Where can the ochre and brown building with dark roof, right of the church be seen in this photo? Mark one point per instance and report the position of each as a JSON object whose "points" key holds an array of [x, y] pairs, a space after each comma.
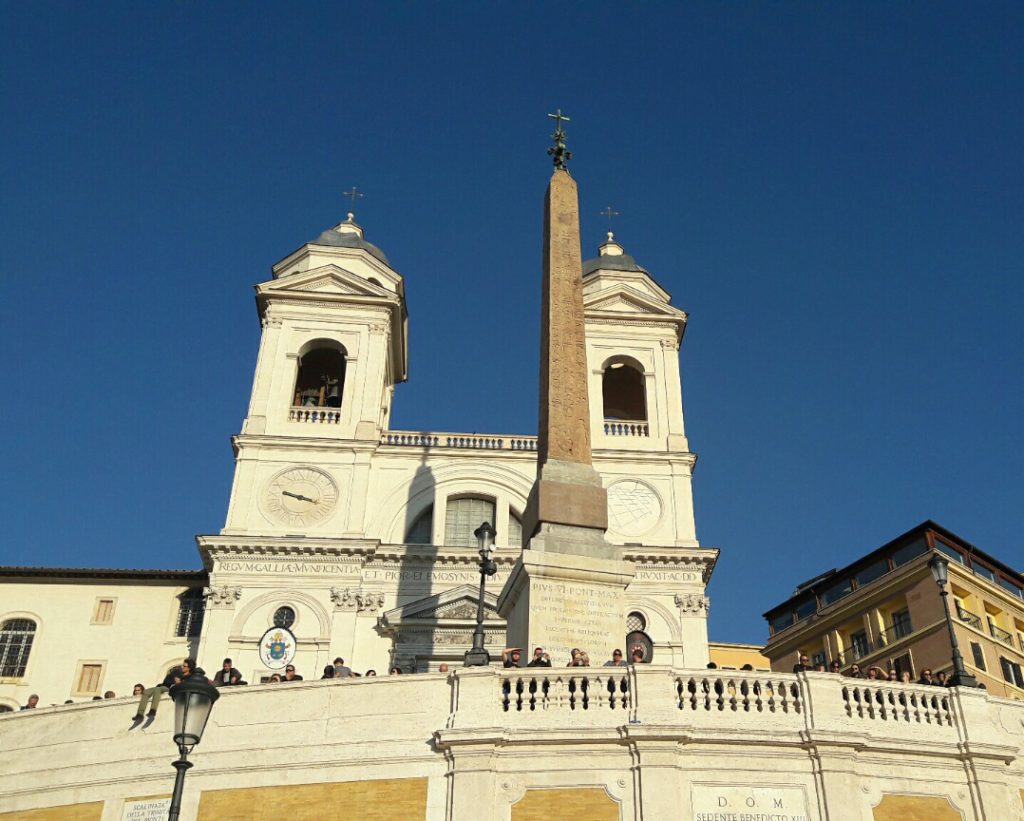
{"points": [[885, 611]]}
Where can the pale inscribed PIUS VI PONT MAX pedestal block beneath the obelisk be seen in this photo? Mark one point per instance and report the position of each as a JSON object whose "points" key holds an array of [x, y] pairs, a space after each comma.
{"points": [[562, 600]]}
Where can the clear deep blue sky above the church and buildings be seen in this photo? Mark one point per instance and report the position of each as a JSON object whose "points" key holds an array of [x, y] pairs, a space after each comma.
{"points": [[834, 192]]}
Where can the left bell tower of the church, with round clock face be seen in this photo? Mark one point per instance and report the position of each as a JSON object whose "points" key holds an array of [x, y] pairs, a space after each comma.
{"points": [[333, 348]]}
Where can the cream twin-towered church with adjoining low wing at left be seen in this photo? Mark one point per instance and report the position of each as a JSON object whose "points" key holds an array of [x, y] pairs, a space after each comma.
{"points": [[359, 539]]}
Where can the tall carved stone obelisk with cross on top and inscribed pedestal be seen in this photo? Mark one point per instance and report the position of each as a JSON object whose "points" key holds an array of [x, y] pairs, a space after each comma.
{"points": [[568, 588]]}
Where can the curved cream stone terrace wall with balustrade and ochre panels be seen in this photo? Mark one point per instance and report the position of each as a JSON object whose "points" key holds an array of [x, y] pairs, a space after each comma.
{"points": [[652, 743]]}
